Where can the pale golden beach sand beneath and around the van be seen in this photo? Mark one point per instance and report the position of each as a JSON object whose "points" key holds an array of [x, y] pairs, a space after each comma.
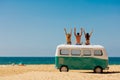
{"points": [[49, 72]]}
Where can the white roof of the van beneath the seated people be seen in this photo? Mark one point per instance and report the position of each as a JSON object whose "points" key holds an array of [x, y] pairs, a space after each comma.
{"points": [[79, 46]]}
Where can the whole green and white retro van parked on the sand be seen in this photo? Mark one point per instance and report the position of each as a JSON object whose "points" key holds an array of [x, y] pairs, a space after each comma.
{"points": [[81, 57]]}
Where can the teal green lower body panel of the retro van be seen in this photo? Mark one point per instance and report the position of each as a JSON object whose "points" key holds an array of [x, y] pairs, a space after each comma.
{"points": [[81, 63]]}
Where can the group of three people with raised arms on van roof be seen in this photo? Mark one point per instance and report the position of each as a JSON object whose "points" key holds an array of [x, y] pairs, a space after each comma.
{"points": [[78, 36]]}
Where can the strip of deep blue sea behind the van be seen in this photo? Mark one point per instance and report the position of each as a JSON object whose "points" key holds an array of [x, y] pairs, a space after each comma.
{"points": [[42, 60]]}
